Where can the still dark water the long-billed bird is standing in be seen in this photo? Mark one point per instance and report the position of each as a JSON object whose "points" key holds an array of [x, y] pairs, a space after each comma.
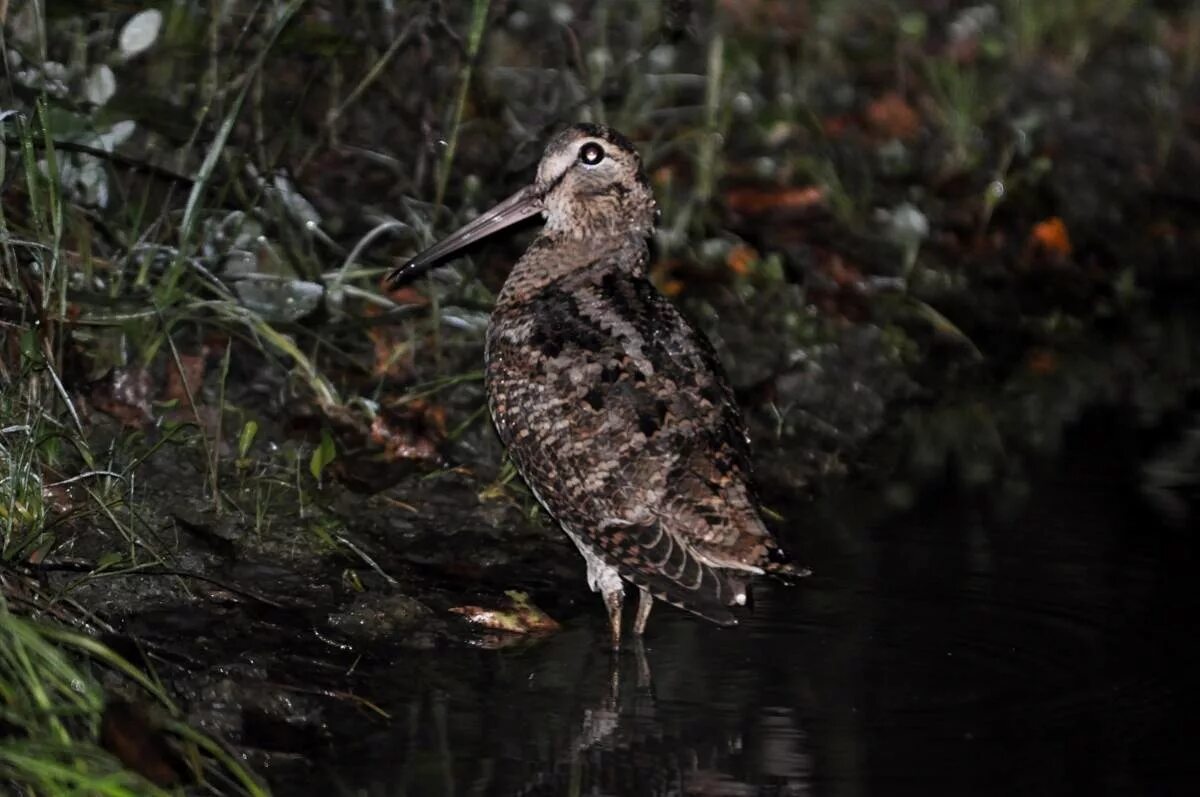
{"points": [[943, 652]]}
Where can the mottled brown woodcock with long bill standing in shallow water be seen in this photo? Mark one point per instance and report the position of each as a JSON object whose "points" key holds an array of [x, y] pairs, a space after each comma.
{"points": [[615, 410]]}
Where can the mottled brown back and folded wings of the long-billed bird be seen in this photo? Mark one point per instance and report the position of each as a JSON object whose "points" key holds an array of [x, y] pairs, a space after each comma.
{"points": [[621, 418]]}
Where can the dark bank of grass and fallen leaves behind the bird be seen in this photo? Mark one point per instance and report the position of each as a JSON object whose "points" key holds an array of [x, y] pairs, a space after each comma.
{"points": [[927, 238]]}
